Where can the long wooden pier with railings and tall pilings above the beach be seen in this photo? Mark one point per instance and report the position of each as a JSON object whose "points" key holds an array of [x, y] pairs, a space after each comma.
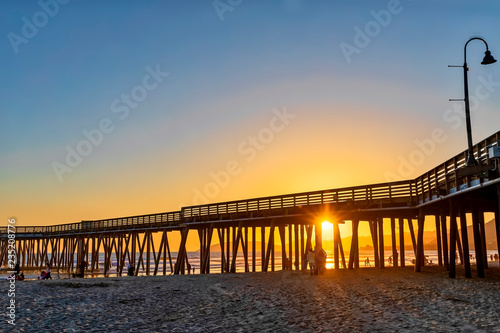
{"points": [[448, 193]]}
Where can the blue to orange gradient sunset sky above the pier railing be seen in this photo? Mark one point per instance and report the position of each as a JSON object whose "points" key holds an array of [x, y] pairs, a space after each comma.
{"points": [[354, 122]]}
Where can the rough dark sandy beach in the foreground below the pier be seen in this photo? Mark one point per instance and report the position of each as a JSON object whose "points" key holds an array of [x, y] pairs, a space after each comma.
{"points": [[363, 300]]}
